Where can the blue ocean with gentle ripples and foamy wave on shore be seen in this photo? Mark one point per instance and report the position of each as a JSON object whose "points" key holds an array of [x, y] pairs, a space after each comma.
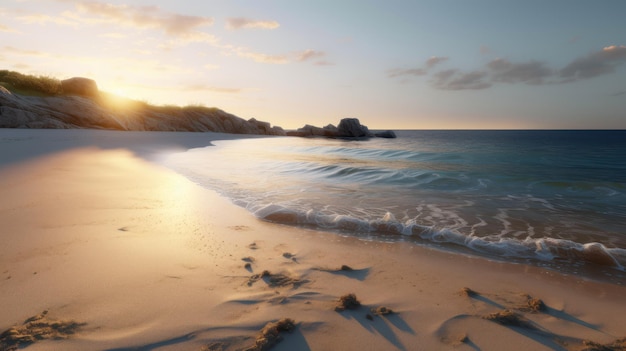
{"points": [[555, 199]]}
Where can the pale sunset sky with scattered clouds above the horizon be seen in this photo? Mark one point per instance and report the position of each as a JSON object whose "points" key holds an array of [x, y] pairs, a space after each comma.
{"points": [[436, 64]]}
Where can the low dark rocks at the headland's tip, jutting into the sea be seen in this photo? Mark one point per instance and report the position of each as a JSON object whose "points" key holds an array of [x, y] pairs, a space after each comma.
{"points": [[347, 128]]}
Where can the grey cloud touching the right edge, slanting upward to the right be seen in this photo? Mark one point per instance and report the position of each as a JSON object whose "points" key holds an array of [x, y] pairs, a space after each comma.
{"points": [[595, 64]]}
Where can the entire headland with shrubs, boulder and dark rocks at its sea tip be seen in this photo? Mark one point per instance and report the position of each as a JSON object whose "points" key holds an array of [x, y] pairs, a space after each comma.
{"points": [[47, 103]]}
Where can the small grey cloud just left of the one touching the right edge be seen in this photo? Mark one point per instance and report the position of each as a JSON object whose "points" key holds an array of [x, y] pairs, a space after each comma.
{"points": [[533, 72]]}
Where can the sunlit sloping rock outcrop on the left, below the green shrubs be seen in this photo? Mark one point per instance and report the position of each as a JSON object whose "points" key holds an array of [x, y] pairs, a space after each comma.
{"points": [[95, 112]]}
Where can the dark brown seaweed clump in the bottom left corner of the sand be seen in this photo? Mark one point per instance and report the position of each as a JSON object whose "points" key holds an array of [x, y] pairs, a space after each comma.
{"points": [[35, 329]]}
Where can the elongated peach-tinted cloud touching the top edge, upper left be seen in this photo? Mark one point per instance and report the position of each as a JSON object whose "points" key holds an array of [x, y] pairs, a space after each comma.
{"points": [[173, 24]]}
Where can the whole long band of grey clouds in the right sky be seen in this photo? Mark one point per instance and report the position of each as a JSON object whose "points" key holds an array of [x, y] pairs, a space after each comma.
{"points": [[532, 72]]}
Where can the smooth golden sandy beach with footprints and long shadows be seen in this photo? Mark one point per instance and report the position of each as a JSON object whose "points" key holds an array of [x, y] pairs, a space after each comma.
{"points": [[124, 254]]}
